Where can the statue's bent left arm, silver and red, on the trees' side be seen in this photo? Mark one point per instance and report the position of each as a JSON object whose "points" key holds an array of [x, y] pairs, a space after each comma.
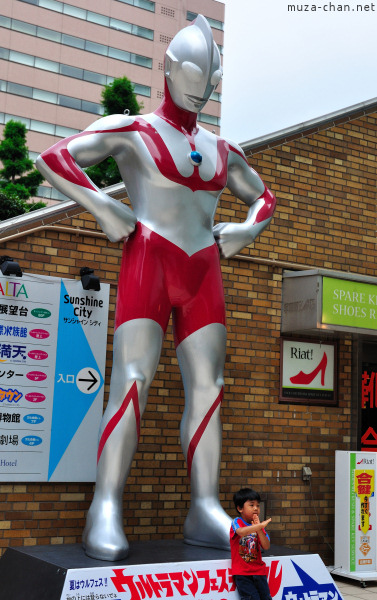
{"points": [[62, 165]]}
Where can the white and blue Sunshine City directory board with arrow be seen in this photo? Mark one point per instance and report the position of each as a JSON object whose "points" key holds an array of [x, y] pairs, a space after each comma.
{"points": [[52, 362]]}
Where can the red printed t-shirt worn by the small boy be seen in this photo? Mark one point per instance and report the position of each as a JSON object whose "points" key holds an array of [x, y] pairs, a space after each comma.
{"points": [[245, 551]]}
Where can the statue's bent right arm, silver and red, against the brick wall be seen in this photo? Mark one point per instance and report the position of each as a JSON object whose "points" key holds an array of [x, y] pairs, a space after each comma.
{"points": [[246, 184]]}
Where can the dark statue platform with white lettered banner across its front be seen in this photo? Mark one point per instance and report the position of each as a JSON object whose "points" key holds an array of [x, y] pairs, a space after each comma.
{"points": [[155, 570]]}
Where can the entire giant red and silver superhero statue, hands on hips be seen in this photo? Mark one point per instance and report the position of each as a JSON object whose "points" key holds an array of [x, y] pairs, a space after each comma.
{"points": [[174, 172]]}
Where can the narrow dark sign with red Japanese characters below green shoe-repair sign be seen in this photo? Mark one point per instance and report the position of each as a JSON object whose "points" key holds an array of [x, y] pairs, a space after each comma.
{"points": [[368, 434]]}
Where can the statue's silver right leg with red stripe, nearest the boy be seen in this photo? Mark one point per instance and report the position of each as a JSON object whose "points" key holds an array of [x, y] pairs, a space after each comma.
{"points": [[201, 357]]}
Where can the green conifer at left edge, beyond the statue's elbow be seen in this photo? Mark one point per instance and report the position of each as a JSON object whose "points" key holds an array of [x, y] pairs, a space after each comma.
{"points": [[18, 177]]}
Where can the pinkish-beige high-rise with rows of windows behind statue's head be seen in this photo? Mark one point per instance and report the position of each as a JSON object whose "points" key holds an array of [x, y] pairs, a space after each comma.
{"points": [[55, 58]]}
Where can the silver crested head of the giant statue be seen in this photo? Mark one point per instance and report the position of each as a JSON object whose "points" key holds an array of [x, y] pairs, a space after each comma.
{"points": [[192, 66]]}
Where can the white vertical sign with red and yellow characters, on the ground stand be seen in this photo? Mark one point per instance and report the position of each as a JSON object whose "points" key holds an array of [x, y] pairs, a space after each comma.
{"points": [[362, 513]]}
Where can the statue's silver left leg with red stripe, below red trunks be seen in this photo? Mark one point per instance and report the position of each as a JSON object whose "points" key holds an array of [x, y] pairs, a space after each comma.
{"points": [[137, 348]]}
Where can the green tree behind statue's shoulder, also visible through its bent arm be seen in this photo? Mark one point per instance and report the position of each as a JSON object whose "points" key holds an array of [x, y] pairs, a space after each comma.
{"points": [[117, 97]]}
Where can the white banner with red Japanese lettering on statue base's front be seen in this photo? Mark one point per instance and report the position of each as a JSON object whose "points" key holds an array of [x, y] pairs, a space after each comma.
{"points": [[303, 577]]}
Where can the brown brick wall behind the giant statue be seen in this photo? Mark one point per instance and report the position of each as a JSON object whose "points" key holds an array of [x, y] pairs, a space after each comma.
{"points": [[325, 182]]}
